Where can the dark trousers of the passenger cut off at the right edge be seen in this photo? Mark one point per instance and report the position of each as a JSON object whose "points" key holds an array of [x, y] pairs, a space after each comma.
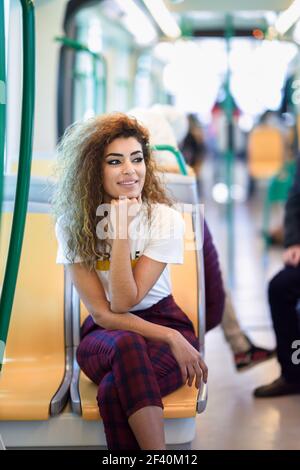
{"points": [[284, 293]]}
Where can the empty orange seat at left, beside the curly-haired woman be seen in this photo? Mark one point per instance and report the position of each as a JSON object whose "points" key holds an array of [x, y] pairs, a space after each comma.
{"points": [[36, 374]]}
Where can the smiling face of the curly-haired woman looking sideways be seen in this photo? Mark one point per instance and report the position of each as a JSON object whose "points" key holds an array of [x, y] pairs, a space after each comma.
{"points": [[124, 169]]}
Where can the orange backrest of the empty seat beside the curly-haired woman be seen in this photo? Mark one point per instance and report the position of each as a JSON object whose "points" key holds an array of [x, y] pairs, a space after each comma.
{"points": [[37, 319]]}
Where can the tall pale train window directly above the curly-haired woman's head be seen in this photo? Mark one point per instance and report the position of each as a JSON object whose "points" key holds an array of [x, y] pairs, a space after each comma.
{"points": [[86, 86]]}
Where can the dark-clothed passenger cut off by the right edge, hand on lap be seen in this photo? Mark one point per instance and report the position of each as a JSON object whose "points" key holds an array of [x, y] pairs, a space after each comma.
{"points": [[284, 295]]}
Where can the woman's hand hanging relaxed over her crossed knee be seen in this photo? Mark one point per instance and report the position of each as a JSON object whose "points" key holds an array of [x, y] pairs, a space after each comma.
{"points": [[189, 359]]}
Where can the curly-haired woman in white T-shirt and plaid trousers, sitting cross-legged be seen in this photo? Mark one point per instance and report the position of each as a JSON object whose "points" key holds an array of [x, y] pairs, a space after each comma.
{"points": [[136, 344]]}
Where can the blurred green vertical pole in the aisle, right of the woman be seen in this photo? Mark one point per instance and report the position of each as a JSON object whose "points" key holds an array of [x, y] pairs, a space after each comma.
{"points": [[229, 157]]}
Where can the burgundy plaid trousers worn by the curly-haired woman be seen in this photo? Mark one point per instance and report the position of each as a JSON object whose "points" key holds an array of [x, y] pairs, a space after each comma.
{"points": [[130, 371]]}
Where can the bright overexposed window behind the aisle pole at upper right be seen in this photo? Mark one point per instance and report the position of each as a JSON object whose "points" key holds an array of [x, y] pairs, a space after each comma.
{"points": [[196, 70]]}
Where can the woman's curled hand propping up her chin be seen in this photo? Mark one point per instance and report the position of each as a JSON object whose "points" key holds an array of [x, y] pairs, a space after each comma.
{"points": [[124, 210]]}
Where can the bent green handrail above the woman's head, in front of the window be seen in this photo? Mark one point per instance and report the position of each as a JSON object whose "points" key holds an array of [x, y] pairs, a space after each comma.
{"points": [[97, 57]]}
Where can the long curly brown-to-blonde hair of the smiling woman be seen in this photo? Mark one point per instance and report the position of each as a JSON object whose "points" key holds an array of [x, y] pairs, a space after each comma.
{"points": [[79, 190]]}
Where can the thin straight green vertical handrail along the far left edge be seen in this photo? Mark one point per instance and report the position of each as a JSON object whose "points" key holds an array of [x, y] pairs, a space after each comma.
{"points": [[2, 102]]}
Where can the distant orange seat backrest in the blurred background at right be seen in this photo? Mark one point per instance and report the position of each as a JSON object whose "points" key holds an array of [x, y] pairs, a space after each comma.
{"points": [[265, 151]]}
